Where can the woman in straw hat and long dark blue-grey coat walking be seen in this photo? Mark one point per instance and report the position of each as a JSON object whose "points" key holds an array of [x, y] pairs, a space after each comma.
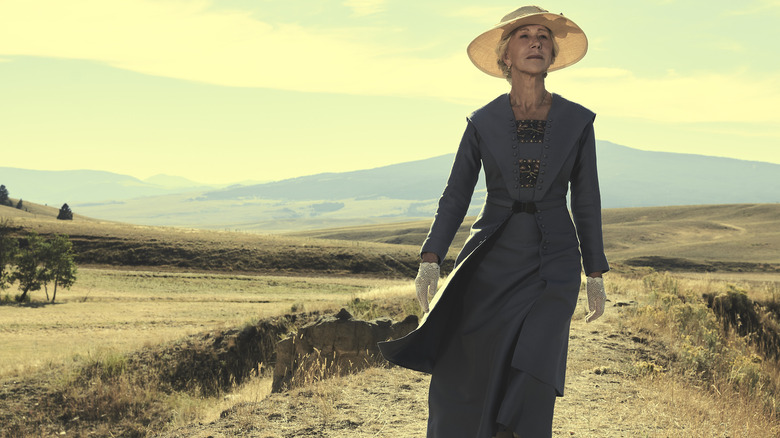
{"points": [[496, 336]]}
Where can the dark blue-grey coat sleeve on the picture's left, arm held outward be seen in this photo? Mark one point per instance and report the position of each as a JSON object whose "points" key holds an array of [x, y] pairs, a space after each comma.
{"points": [[456, 198]]}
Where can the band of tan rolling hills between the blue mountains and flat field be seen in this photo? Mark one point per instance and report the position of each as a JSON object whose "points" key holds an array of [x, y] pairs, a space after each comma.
{"points": [[744, 237]]}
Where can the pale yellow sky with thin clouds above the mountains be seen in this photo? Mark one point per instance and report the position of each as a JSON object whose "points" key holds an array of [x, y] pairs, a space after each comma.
{"points": [[224, 91]]}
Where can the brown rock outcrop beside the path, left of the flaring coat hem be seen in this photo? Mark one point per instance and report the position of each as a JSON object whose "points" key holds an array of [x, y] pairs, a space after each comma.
{"points": [[333, 345]]}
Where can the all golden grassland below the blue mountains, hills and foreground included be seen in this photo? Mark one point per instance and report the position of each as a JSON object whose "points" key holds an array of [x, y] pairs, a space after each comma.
{"points": [[147, 295]]}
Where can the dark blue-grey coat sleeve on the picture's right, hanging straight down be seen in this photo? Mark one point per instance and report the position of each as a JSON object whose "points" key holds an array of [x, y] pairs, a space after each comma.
{"points": [[586, 204]]}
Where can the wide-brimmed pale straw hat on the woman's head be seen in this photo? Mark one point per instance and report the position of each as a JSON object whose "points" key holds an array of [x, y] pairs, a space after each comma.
{"points": [[570, 39]]}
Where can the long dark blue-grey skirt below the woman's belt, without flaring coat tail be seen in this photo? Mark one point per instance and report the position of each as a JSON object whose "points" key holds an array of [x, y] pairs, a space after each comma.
{"points": [[475, 391]]}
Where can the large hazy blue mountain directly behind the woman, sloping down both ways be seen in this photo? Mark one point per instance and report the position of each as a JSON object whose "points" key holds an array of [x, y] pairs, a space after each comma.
{"points": [[629, 178]]}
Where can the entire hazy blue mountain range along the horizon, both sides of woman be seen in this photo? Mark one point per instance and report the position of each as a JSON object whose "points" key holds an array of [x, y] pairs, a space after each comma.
{"points": [[629, 178]]}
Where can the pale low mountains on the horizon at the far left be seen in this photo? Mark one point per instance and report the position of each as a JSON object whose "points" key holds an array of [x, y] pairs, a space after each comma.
{"points": [[88, 186]]}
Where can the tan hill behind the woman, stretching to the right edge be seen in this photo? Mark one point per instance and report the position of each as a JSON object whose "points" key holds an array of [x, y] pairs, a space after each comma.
{"points": [[708, 237]]}
